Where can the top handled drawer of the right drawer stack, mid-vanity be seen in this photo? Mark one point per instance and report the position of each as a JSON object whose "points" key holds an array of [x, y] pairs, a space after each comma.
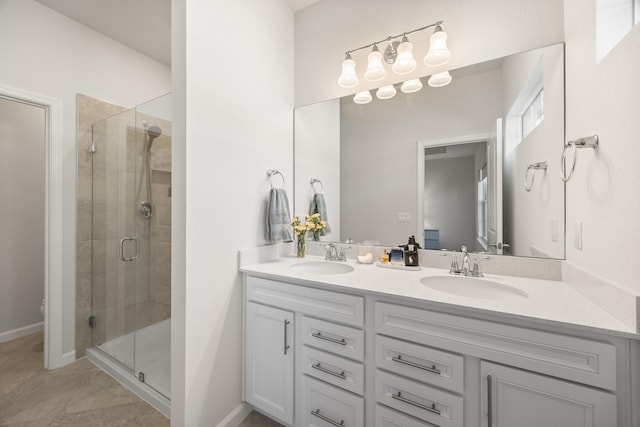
{"points": [[435, 367]]}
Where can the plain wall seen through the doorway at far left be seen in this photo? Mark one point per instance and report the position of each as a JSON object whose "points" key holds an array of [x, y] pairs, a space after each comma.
{"points": [[22, 173]]}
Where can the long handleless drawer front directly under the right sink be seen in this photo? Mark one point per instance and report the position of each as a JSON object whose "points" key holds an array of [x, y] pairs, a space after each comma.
{"points": [[576, 359]]}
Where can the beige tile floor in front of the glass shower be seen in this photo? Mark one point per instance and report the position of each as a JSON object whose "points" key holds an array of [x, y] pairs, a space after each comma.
{"points": [[77, 395]]}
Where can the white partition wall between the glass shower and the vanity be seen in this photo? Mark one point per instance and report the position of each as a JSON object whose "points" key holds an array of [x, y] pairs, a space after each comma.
{"points": [[233, 121]]}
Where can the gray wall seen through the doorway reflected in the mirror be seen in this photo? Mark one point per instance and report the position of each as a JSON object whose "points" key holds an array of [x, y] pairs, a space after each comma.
{"points": [[450, 196]]}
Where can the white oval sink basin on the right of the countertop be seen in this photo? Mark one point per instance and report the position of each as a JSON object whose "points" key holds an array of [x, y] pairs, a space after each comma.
{"points": [[473, 287]]}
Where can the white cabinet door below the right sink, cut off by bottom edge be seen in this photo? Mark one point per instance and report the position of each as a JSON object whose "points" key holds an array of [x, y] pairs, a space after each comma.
{"points": [[511, 397]]}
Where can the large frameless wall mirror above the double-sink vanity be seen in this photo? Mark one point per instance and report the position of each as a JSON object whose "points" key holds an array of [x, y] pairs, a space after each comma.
{"points": [[475, 162]]}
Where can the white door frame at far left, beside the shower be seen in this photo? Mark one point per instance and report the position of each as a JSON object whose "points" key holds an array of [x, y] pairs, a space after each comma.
{"points": [[54, 215]]}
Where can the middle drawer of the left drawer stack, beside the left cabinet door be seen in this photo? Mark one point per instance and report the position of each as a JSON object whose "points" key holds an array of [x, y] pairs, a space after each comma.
{"points": [[335, 370]]}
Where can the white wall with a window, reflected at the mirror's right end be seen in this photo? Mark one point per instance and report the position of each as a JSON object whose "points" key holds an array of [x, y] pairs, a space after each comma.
{"points": [[531, 213]]}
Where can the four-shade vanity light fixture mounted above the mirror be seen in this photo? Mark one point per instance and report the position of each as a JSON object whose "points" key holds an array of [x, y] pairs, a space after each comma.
{"points": [[399, 54]]}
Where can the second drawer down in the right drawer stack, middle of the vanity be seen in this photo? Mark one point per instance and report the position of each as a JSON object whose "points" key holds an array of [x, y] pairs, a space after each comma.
{"points": [[426, 403]]}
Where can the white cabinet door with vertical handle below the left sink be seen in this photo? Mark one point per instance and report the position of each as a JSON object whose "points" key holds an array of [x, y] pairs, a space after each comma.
{"points": [[269, 361]]}
